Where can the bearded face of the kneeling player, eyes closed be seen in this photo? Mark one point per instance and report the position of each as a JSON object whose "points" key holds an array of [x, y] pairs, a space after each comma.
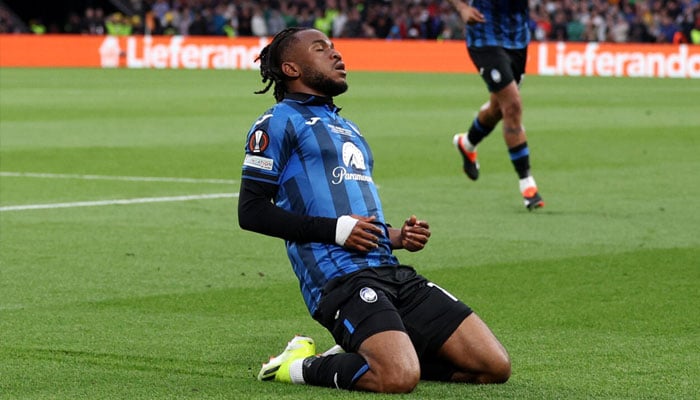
{"points": [[322, 66]]}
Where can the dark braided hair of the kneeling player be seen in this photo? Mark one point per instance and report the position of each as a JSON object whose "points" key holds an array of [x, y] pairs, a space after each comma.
{"points": [[271, 62]]}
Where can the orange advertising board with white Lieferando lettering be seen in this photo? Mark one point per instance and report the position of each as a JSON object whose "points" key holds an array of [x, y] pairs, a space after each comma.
{"points": [[544, 58]]}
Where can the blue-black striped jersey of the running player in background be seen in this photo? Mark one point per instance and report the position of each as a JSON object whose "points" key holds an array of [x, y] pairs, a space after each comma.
{"points": [[506, 24]]}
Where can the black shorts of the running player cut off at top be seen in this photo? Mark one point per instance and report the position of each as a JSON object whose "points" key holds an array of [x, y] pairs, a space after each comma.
{"points": [[498, 66]]}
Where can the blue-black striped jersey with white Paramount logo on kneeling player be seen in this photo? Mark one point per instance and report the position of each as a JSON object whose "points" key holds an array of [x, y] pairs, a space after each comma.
{"points": [[322, 167]]}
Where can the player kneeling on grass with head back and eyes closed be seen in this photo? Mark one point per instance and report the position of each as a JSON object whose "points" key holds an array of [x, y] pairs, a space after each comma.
{"points": [[307, 178]]}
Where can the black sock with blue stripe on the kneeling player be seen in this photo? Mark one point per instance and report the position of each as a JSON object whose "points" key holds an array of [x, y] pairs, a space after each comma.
{"points": [[339, 371]]}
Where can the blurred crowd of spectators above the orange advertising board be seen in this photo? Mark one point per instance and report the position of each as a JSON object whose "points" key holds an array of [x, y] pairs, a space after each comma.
{"points": [[623, 21]]}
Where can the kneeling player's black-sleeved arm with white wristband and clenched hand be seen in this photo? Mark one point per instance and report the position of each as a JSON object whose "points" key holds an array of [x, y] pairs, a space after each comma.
{"points": [[257, 213]]}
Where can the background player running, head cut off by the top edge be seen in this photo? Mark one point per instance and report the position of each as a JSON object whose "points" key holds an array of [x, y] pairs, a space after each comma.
{"points": [[497, 39]]}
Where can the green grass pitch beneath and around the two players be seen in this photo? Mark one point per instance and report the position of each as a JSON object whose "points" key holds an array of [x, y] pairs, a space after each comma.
{"points": [[594, 296]]}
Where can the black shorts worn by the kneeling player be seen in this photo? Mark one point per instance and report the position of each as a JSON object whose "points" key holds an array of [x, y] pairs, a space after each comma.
{"points": [[373, 300]]}
